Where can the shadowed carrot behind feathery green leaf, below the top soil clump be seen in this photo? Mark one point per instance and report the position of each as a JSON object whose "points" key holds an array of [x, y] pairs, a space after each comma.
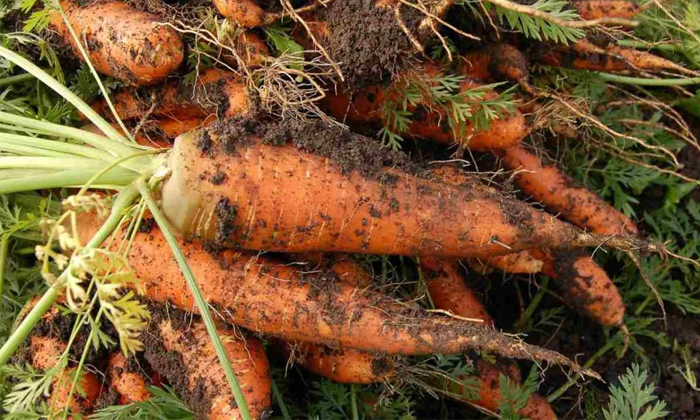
{"points": [[367, 106]]}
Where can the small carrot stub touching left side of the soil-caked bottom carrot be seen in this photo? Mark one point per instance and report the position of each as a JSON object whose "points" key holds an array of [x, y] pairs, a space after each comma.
{"points": [[126, 381]]}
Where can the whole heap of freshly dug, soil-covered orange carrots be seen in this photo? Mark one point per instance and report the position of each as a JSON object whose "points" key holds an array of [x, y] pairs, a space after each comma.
{"points": [[238, 184]]}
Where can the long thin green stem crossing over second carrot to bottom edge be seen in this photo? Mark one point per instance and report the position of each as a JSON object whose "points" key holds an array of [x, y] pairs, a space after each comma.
{"points": [[164, 225]]}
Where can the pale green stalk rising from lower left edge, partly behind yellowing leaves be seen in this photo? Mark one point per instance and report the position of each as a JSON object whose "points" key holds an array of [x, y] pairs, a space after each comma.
{"points": [[122, 202]]}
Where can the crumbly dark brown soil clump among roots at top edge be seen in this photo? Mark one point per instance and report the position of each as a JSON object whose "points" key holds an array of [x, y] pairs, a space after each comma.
{"points": [[366, 40]]}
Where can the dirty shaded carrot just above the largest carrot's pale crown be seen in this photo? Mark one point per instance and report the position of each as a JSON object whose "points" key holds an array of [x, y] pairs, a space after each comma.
{"points": [[215, 93]]}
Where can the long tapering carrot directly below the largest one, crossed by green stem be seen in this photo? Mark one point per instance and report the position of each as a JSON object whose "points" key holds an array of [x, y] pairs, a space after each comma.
{"points": [[273, 298]]}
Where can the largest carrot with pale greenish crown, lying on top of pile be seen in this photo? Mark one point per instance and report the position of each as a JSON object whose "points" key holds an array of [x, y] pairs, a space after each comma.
{"points": [[279, 198]]}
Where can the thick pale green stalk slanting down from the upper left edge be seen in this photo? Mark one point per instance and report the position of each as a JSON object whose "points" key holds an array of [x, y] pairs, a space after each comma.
{"points": [[62, 90]]}
